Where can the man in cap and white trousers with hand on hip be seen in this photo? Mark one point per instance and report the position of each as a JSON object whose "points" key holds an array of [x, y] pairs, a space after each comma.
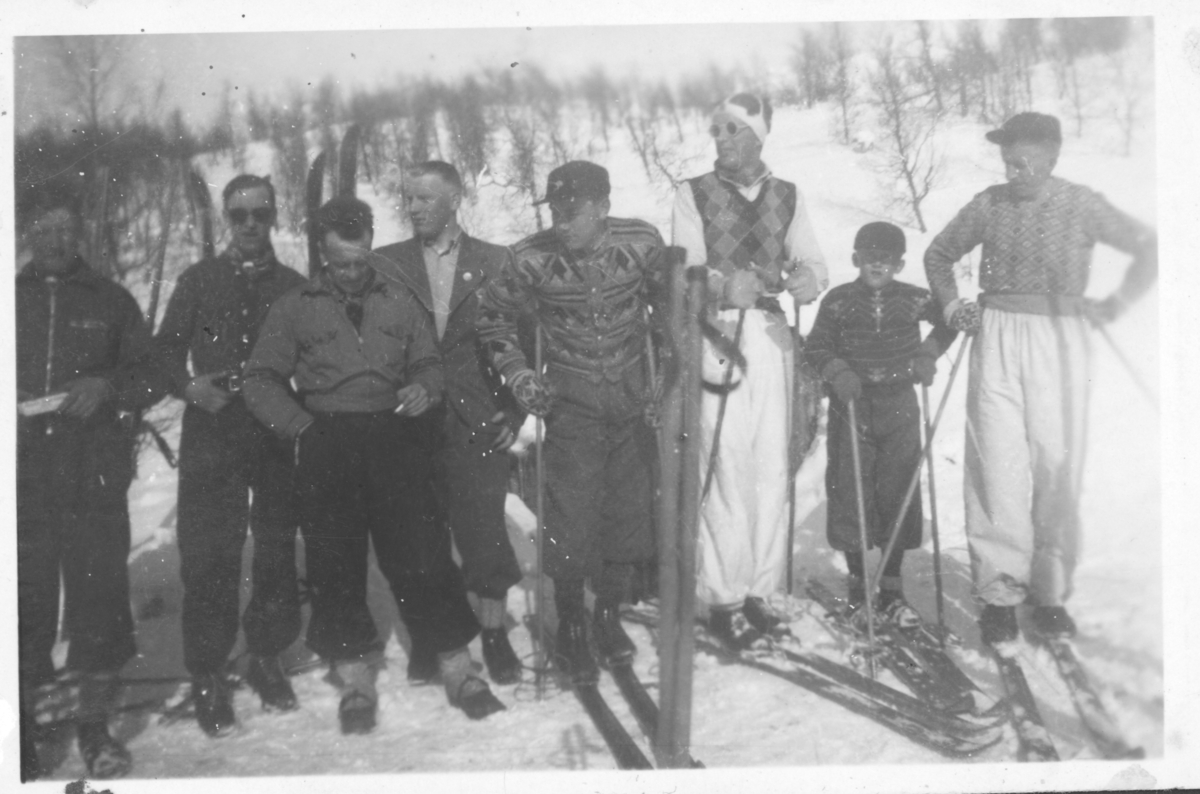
{"points": [[1028, 389]]}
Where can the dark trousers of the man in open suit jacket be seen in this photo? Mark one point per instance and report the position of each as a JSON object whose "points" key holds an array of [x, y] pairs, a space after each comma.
{"points": [[472, 484]]}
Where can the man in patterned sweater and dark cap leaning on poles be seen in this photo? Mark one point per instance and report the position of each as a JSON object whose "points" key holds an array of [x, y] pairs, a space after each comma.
{"points": [[587, 281]]}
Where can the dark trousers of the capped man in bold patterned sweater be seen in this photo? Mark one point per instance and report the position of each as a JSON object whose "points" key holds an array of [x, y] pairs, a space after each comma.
{"points": [[601, 460]]}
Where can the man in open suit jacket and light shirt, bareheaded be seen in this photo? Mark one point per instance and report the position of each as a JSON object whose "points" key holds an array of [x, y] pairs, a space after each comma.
{"points": [[477, 423]]}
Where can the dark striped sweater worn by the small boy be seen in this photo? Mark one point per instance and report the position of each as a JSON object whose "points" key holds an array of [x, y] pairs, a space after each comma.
{"points": [[875, 333]]}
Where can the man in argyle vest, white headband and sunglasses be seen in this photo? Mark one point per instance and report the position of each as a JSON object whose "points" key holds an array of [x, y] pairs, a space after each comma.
{"points": [[753, 232]]}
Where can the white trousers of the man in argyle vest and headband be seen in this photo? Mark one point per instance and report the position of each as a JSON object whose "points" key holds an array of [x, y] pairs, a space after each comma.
{"points": [[743, 522]]}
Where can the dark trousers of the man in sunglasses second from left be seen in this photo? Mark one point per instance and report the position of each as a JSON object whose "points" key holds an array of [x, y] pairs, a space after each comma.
{"points": [[224, 460]]}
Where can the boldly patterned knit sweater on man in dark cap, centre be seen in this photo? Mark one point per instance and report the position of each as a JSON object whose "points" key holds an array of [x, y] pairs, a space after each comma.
{"points": [[592, 310]]}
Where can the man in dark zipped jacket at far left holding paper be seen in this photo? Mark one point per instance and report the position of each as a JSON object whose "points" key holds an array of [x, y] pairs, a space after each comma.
{"points": [[83, 372]]}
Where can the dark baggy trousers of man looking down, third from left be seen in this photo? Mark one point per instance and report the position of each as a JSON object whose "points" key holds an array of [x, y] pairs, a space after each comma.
{"points": [[364, 479]]}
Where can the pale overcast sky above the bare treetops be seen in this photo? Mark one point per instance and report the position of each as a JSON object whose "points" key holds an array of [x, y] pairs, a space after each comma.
{"points": [[197, 67]]}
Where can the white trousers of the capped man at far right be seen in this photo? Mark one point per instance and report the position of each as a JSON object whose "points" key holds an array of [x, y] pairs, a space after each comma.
{"points": [[1025, 442]]}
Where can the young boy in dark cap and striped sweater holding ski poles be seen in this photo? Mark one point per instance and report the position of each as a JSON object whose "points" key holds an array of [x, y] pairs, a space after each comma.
{"points": [[867, 347]]}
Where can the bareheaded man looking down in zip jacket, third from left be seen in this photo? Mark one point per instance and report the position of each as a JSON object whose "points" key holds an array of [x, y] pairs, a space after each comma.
{"points": [[364, 362]]}
